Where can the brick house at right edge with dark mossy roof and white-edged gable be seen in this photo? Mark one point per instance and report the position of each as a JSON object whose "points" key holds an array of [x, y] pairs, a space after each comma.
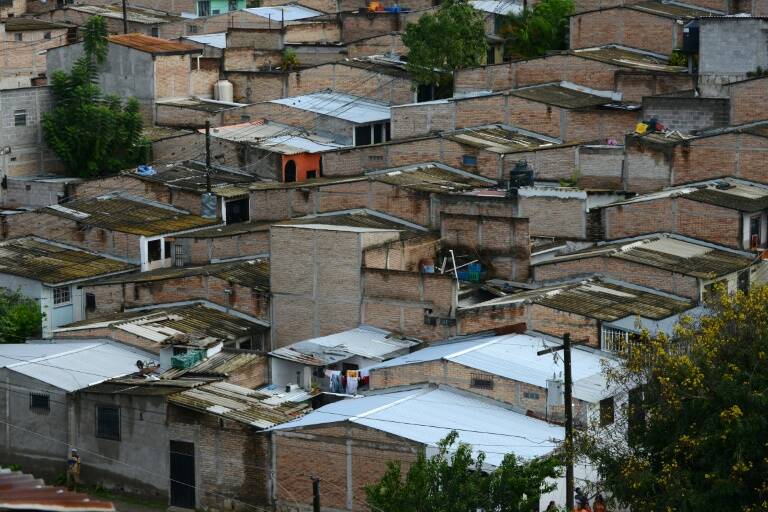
{"points": [[729, 211]]}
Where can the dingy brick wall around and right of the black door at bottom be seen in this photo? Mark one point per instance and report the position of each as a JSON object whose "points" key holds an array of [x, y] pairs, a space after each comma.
{"points": [[230, 459]]}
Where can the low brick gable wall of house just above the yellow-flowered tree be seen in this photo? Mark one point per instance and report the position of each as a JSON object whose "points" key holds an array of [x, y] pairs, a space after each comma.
{"points": [[614, 268]]}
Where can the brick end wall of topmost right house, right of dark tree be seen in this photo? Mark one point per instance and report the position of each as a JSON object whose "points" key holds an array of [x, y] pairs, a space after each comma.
{"points": [[625, 27]]}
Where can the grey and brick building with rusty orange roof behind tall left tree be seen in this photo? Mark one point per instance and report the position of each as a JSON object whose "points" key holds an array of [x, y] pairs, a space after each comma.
{"points": [[140, 66]]}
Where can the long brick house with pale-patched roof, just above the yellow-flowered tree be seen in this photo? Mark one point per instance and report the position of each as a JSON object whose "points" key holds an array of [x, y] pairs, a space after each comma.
{"points": [[667, 262]]}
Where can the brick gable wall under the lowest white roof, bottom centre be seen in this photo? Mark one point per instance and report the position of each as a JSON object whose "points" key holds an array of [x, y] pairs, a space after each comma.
{"points": [[332, 452]]}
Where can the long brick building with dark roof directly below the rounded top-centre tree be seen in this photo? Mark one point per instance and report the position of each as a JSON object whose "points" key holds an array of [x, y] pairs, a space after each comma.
{"points": [[564, 110]]}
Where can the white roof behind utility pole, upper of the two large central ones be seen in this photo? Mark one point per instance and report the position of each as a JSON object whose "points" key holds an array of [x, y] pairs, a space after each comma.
{"points": [[514, 357]]}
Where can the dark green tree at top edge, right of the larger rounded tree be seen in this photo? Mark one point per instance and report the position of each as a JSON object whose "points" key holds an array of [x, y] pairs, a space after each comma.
{"points": [[537, 30]]}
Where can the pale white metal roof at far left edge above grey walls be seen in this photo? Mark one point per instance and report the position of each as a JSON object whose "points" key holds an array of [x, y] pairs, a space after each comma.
{"points": [[75, 369]]}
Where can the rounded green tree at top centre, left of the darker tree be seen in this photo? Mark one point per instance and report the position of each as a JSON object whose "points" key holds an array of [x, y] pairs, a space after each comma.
{"points": [[438, 44]]}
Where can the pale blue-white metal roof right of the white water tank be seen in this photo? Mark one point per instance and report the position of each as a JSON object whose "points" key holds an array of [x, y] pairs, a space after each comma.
{"points": [[355, 109]]}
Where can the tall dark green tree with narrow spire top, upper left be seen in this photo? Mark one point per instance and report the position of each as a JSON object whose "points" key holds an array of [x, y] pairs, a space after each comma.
{"points": [[92, 133]]}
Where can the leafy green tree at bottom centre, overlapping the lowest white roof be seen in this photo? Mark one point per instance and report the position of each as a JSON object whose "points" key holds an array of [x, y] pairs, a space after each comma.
{"points": [[453, 481]]}
